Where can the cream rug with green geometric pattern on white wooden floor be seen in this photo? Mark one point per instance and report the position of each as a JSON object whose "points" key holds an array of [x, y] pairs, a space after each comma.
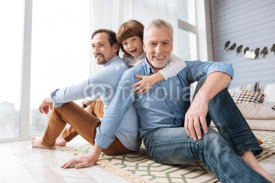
{"points": [[139, 167]]}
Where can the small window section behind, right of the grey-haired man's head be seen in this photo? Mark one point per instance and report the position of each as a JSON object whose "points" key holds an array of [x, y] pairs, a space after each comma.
{"points": [[187, 30]]}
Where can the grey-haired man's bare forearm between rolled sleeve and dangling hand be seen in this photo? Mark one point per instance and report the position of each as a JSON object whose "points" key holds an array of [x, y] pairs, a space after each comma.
{"points": [[214, 83]]}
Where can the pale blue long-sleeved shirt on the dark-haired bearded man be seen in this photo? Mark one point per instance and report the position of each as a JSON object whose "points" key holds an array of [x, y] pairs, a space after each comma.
{"points": [[103, 84]]}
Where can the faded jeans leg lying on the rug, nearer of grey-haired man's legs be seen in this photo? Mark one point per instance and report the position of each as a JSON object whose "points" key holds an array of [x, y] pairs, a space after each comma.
{"points": [[173, 146]]}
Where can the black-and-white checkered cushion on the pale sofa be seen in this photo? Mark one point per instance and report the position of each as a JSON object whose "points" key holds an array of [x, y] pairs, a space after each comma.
{"points": [[245, 96]]}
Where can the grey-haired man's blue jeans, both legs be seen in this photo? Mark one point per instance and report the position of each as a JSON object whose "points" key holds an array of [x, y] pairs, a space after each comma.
{"points": [[220, 153]]}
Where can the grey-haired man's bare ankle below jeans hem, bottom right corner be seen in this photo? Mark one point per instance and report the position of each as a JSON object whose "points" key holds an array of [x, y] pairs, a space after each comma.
{"points": [[251, 161]]}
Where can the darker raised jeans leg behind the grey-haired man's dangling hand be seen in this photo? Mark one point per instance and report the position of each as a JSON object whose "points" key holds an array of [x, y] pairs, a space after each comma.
{"points": [[230, 122]]}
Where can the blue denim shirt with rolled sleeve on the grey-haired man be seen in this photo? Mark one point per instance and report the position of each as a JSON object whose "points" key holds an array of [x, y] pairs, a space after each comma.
{"points": [[164, 105]]}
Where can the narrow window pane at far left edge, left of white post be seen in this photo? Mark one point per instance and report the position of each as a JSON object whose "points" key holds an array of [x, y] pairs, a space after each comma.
{"points": [[11, 37]]}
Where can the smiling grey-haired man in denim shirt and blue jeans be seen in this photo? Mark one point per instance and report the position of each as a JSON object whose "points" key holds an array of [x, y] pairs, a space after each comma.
{"points": [[175, 132]]}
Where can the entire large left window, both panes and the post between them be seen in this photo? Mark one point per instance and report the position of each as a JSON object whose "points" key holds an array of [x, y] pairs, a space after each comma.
{"points": [[50, 43]]}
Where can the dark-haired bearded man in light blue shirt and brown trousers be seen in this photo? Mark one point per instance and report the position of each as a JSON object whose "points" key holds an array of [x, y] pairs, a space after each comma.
{"points": [[103, 84]]}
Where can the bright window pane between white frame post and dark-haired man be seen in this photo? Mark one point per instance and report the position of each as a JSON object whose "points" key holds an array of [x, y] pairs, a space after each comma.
{"points": [[60, 51]]}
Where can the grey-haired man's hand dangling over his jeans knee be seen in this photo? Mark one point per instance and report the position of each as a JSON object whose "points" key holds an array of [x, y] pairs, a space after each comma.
{"points": [[195, 117]]}
